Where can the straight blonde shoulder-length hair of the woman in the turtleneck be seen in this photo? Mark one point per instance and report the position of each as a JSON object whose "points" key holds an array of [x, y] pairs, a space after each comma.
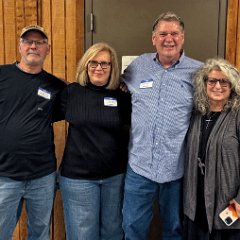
{"points": [[82, 74]]}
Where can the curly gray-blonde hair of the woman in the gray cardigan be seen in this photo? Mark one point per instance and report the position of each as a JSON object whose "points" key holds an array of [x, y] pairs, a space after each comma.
{"points": [[201, 100]]}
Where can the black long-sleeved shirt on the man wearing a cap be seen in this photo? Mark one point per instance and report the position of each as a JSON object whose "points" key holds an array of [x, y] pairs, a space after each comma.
{"points": [[27, 107]]}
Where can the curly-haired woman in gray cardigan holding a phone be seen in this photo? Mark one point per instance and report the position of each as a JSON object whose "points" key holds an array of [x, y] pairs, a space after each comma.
{"points": [[212, 167]]}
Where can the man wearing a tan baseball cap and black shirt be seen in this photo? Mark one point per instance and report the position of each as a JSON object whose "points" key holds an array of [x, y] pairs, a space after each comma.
{"points": [[28, 107]]}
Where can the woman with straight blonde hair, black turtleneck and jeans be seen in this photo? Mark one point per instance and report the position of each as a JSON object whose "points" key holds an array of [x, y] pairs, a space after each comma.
{"points": [[95, 155]]}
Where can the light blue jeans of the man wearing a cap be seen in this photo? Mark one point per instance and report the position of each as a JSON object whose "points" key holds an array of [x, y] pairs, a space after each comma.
{"points": [[38, 195]]}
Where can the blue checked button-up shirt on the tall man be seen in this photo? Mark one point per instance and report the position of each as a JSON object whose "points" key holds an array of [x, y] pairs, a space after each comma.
{"points": [[162, 102]]}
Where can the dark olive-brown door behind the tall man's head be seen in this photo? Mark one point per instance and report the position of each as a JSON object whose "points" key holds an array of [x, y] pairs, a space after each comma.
{"points": [[126, 25]]}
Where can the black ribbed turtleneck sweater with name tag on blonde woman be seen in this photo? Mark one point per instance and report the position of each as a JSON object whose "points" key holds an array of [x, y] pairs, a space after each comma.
{"points": [[97, 141]]}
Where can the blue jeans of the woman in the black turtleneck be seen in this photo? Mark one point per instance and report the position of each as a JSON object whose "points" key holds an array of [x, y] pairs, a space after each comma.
{"points": [[93, 208]]}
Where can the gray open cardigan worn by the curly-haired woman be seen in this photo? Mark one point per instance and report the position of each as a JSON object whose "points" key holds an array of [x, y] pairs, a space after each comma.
{"points": [[222, 170]]}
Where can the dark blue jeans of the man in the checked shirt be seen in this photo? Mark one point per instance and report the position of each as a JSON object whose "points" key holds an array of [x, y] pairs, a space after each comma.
{"points": [[139, 196]]}
